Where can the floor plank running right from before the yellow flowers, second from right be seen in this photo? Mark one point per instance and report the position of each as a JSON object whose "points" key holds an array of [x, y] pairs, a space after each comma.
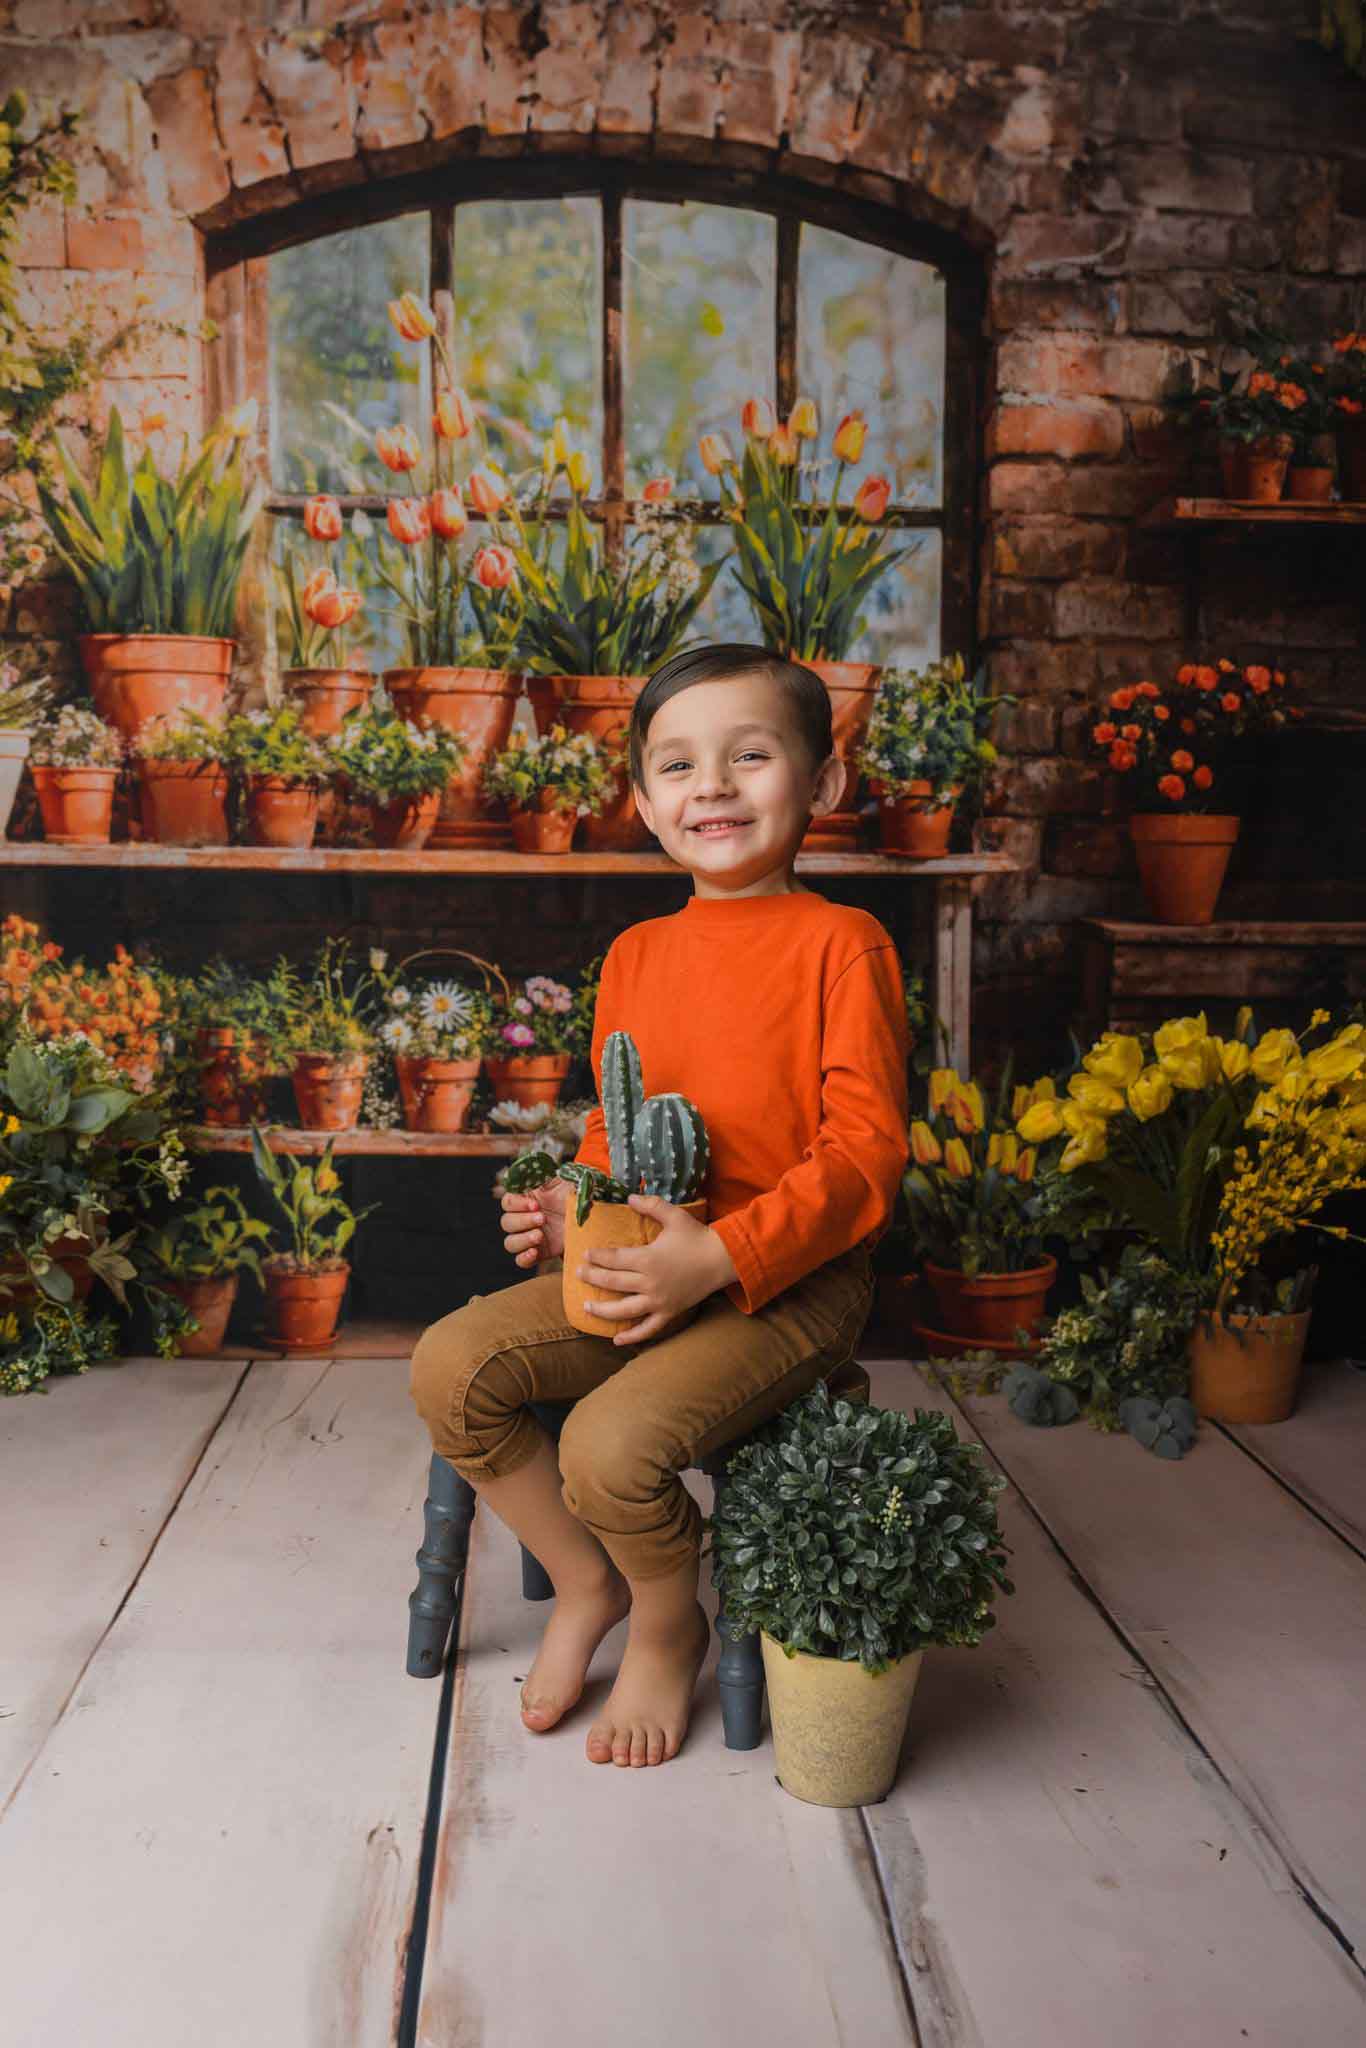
{"points": [[1250, 1615]]}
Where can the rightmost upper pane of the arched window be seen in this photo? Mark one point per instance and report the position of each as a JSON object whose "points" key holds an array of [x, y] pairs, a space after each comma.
{"points": [[871, 339]]}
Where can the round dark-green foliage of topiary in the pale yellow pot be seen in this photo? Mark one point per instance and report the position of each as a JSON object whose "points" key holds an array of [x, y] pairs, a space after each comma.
{"points": [[859, 1533]]}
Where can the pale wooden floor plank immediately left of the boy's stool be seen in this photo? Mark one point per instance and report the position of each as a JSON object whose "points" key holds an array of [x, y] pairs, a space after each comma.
{"points": [[220, 1840]]}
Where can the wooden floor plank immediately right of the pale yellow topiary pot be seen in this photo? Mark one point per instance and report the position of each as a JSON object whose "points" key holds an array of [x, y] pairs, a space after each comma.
{"points": [[1066, 1869]]}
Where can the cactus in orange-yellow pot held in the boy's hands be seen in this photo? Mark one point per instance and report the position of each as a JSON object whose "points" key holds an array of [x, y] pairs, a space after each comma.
{"points": [[658, 1146]]}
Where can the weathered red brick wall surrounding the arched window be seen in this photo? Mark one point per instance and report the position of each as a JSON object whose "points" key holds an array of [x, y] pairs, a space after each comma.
{"points": [[1115, 165]]}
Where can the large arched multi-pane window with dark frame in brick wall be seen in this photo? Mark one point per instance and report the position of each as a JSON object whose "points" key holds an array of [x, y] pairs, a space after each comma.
{"points": [[646, 308]]}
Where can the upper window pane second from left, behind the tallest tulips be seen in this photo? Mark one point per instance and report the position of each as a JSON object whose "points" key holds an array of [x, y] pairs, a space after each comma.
{"points": [[529, 323]]}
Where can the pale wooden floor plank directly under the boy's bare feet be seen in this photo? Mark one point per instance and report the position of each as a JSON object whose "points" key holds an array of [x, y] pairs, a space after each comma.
{"points": [[601, 1908]]}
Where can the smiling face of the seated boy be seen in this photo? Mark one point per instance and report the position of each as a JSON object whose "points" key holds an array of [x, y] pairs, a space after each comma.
{"points": [[732, 751]]}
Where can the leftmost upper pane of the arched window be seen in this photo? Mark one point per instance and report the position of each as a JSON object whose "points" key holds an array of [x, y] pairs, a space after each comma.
{"points": [[337, 366]]}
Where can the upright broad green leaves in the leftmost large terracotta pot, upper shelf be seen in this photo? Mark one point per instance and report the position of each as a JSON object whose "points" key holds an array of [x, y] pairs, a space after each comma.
{"points": [[157, 554]]}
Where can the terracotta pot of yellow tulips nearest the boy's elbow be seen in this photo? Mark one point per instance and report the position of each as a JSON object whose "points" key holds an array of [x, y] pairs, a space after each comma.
{"points": [[978, 1215]]}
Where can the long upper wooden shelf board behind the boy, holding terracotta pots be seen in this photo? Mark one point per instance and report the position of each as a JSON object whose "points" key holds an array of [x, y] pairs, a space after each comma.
{"points": [[386, 861]]}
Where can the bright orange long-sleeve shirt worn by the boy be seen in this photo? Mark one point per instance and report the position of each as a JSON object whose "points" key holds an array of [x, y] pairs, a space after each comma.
{"points": [[783, 1017]]}
